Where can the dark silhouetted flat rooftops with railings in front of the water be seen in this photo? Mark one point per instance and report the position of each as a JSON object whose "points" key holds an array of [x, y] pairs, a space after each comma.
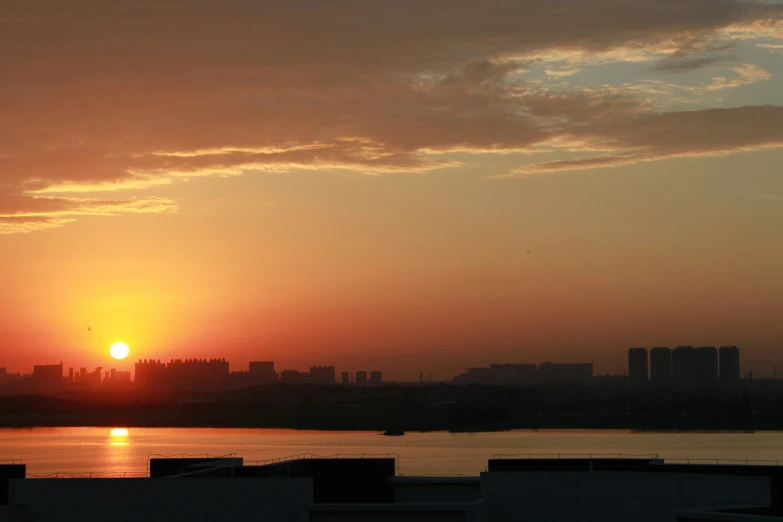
{"points": [[370, 489]]}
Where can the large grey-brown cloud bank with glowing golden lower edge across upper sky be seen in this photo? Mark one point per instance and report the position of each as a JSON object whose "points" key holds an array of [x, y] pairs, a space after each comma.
{"points": [[107, 97]]}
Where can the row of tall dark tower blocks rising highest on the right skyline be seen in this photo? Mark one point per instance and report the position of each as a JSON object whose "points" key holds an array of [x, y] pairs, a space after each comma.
{"points": [[685, 366]]}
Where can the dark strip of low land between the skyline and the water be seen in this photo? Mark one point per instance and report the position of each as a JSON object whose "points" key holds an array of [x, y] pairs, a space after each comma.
{"points": [[457, 409]]}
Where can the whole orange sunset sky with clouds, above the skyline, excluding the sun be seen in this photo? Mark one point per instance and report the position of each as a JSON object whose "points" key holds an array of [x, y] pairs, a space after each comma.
{"points": [[360, 184]]}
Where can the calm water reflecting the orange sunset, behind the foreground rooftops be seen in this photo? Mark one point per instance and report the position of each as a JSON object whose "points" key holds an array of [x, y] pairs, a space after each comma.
{"points": [[48, 451]]}
